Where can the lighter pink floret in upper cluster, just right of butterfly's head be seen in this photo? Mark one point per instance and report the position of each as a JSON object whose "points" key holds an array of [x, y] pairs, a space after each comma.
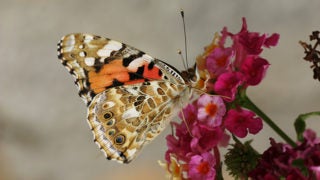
{"points": [[218, 60]]}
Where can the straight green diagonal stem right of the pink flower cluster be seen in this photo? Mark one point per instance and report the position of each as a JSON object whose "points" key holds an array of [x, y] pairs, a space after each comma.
{"points": [[247, 103]]}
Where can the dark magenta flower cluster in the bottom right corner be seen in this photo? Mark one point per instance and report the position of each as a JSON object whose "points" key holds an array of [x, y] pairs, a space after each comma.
{"points": [[282, 160]]}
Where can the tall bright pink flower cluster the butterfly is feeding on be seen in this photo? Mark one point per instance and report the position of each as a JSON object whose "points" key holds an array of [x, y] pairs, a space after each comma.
{"points": [[193, 149]]}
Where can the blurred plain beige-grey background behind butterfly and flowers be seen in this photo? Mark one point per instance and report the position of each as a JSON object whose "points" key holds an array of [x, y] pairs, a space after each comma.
{"points": [[43, 128]]}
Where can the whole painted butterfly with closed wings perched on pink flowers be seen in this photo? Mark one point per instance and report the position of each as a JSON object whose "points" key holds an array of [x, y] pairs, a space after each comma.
{"points": [[130, 96]]}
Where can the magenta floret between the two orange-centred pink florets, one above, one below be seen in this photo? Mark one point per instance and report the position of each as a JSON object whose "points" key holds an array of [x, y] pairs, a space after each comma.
{"points": [[204, 139]]}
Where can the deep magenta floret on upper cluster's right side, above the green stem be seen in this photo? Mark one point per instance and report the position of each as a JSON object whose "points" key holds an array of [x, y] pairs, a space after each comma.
{"points": [[254, 69]]}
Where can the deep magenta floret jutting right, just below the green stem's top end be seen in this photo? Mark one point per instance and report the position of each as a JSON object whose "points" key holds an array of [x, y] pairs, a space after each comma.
{"points": [[240, 122]]}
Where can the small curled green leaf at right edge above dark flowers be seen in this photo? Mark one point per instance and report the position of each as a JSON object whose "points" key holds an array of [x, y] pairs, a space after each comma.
{"points": [[300, 124]]}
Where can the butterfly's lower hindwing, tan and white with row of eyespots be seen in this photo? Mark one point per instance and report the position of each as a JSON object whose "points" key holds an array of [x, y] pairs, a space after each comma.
{"points": [[125, 118]]}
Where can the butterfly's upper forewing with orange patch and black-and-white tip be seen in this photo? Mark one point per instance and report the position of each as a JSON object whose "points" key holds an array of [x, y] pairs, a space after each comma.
{"points": [[99, 63]]}
